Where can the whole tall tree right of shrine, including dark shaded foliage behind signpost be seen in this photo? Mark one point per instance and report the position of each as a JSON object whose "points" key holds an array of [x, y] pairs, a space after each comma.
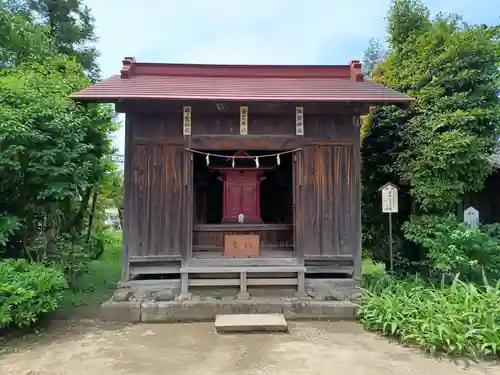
{"points": [[437, 148]]}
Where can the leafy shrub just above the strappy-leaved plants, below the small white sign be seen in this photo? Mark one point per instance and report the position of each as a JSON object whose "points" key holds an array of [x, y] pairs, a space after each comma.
{"points": [[454, 248]]}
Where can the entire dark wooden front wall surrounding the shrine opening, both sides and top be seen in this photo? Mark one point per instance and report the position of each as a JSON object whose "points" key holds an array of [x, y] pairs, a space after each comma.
{"points": [[158, 176]]}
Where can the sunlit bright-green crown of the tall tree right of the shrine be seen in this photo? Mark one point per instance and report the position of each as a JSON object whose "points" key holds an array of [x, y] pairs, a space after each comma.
{"points": [[454, 74]]}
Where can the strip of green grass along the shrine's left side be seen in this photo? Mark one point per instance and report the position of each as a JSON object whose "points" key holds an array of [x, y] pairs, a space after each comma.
{"points": [[97, 283]]}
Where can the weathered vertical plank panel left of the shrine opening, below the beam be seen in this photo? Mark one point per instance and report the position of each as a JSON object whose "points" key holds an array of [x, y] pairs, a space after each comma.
{"points": [[159, 199]]}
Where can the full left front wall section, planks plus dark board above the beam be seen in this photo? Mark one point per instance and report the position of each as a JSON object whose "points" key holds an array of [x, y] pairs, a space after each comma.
{"points": [[156, 187]]}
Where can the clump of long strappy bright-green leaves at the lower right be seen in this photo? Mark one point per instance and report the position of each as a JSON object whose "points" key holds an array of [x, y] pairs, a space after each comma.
{"points": [[461, 319]]}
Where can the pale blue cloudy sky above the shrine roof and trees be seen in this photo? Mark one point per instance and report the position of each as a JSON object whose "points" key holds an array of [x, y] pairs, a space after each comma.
{"points": [[250, 32]]}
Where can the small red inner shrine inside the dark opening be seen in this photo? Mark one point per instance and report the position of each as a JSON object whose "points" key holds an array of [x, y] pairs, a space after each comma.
{"points": [[241, 193]]}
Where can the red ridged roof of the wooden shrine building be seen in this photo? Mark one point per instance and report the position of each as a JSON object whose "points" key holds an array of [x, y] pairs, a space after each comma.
{"points": [[337, 83]]}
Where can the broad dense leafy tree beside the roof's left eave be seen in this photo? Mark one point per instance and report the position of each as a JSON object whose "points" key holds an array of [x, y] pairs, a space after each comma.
{"points": [[48, 153]]}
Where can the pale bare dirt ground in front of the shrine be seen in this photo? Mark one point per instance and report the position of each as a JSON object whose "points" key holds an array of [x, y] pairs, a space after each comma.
{"points": [[187, 349]]}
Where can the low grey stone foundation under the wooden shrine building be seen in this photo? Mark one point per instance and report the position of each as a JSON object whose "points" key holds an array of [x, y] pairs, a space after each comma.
{"points": [[159, 301]]}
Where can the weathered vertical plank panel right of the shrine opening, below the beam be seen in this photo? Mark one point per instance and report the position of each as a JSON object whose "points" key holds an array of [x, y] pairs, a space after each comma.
{"points": [[327, 186]]}
